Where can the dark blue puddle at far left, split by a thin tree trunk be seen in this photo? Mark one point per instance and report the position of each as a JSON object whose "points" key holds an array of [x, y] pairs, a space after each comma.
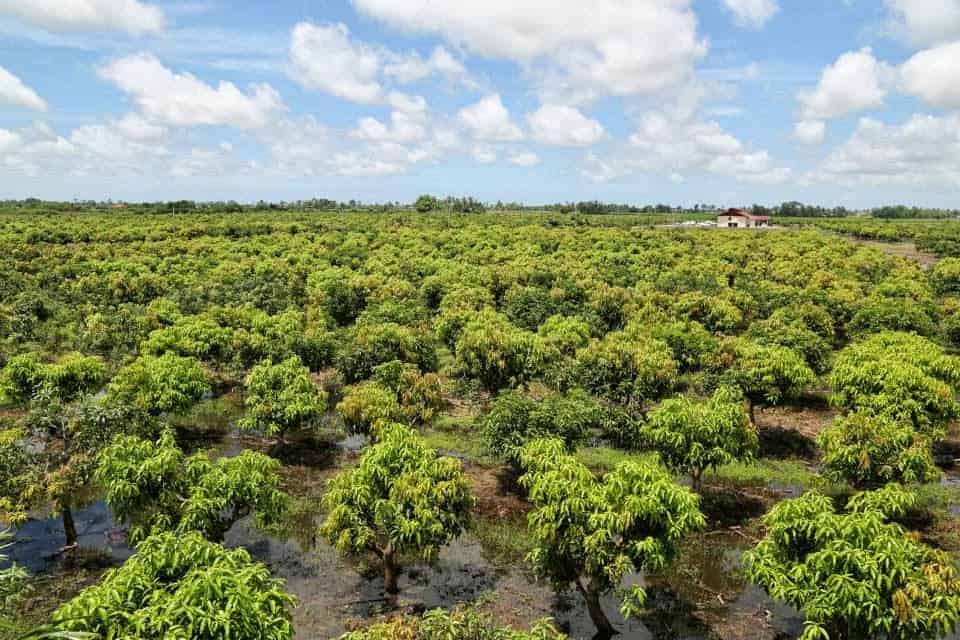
{"points": [[37, 543]]}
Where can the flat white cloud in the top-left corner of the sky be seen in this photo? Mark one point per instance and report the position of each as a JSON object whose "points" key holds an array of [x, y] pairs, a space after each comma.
{"points": [[130, 16]]}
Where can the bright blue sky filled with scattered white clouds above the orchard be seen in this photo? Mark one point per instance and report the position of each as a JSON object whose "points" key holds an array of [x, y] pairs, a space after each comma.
{"points": [[728, 102]]}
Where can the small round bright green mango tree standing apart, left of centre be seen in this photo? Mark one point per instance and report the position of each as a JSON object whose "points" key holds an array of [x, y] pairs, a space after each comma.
{"points": [[282, 397]]}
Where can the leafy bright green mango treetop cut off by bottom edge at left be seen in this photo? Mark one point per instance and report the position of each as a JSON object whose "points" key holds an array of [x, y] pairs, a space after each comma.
{"points": [[180, 585]]}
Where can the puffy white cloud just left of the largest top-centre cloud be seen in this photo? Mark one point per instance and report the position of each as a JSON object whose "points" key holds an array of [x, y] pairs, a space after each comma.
{"points": [[325, 58]]}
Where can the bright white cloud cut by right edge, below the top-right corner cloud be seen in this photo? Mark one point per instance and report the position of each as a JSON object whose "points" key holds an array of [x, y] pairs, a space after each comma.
{"points": [[934, 76]]}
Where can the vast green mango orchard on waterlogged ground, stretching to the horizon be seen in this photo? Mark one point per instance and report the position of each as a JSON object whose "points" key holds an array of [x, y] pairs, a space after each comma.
{"points": [[394, 425]]}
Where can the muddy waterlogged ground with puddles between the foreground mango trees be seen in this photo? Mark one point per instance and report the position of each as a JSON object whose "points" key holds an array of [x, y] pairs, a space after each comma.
{"points": [[701, 597]]}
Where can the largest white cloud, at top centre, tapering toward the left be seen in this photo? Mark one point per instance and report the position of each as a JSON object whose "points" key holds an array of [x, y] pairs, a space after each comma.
{"points": [[604, 46]]}
